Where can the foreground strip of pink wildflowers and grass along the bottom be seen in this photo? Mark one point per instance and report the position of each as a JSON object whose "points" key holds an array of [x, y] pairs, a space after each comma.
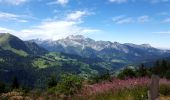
{"points": [[131, 89]]}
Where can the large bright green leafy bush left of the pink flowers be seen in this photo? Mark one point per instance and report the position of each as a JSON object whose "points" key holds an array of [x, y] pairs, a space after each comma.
{"points": [[69, 84]]}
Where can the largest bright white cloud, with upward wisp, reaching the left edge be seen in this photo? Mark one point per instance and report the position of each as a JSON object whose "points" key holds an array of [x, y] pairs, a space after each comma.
{"points": [[53, 29]]}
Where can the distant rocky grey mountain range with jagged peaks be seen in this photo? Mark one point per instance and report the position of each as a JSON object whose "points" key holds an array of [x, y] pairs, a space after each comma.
{"points": [[105, 50]]}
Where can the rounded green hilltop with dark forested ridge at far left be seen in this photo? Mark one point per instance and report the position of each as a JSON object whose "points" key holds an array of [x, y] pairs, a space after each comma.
{"points": [[18, 46]]}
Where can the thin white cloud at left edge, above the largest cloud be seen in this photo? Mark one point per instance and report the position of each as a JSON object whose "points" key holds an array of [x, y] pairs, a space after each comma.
{"points": [[4, 16]]}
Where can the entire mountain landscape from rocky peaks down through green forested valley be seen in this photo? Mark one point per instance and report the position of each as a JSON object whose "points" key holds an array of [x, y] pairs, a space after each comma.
{"points": [[34, 61]]}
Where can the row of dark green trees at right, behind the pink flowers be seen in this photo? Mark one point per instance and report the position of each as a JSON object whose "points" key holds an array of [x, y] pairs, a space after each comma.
{"points": [[161, 68]]}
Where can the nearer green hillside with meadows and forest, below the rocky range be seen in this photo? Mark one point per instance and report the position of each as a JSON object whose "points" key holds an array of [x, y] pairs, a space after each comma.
{"points": [[33, 65]]}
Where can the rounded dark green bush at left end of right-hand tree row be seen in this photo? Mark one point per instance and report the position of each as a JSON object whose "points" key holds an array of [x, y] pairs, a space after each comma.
{"points": [[127, 73]]}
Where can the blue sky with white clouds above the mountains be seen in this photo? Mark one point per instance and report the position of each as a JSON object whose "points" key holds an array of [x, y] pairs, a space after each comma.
{"points": [[124, 21]]}
